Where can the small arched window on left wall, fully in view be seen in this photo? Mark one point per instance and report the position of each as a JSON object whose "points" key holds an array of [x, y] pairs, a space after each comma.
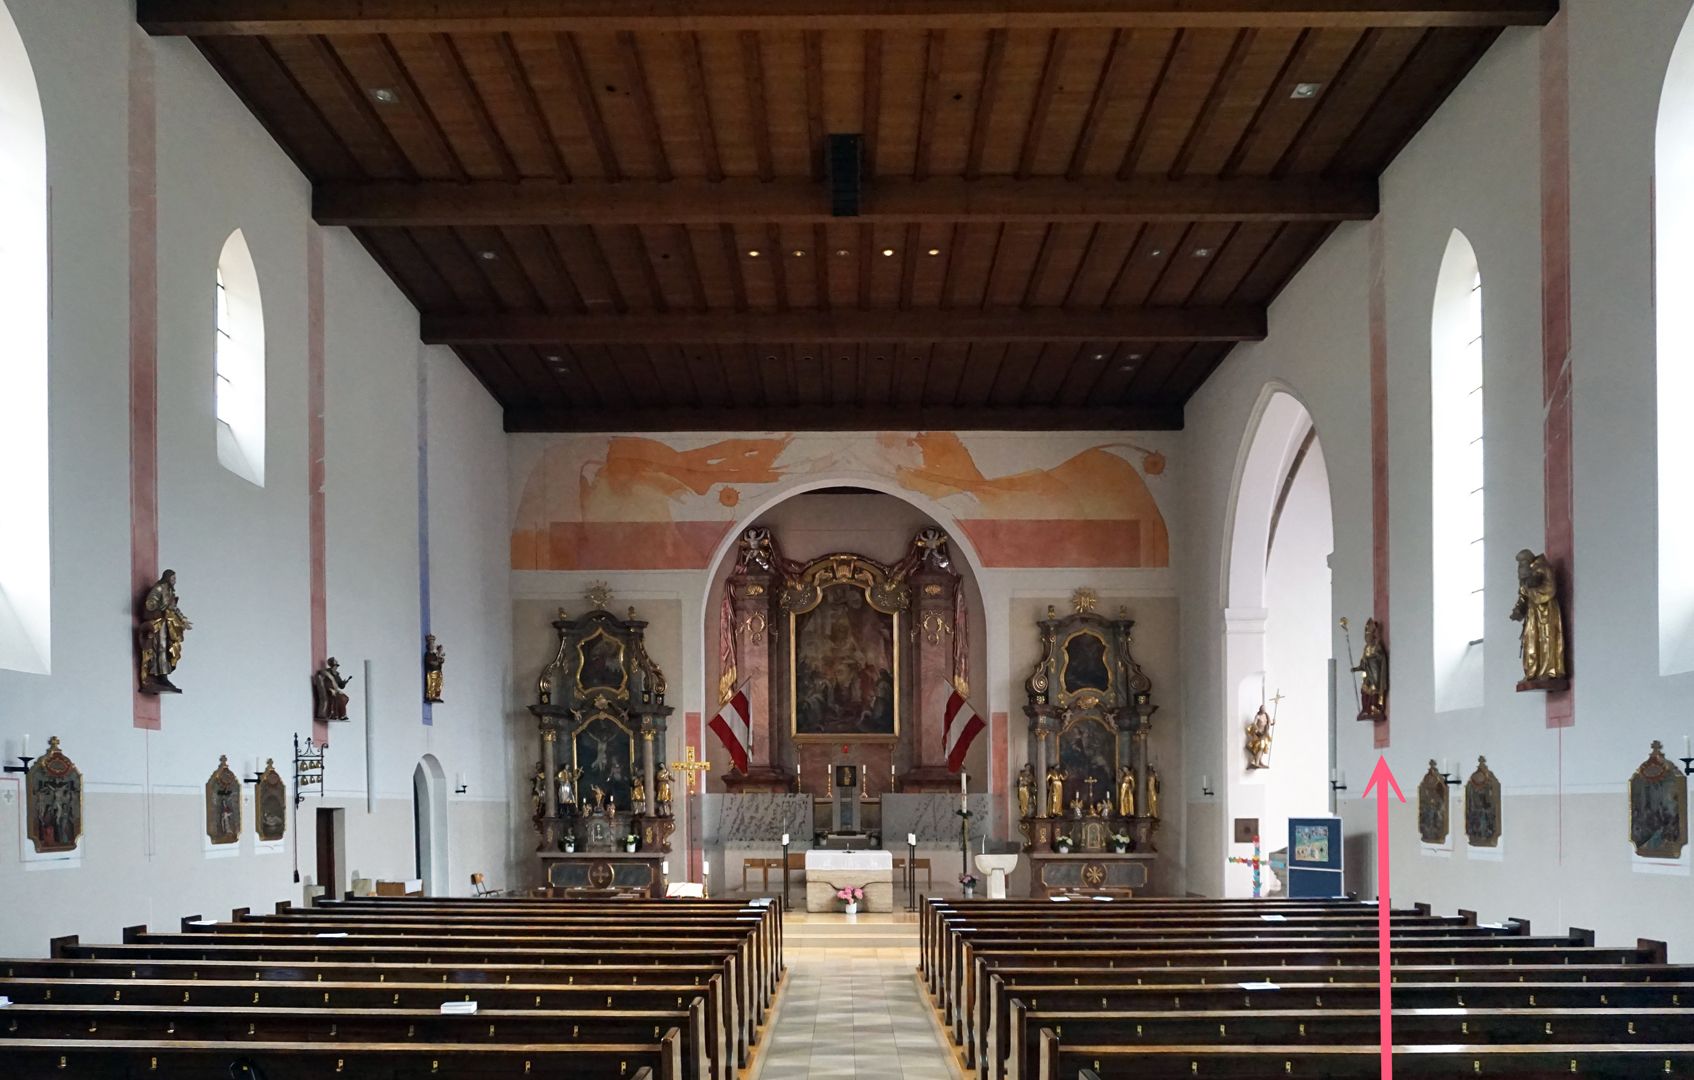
{"points": [[240, 363]]}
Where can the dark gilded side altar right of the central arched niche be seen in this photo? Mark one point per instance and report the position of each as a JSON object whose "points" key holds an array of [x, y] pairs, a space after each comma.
{"points": [[1088, 798]]}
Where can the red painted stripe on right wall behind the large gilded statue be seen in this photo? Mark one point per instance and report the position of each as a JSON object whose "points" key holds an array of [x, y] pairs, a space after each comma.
{"points": [[1556, 333]]}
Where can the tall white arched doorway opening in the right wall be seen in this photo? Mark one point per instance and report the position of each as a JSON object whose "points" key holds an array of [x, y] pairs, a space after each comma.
{"points": [[1278, 631]]}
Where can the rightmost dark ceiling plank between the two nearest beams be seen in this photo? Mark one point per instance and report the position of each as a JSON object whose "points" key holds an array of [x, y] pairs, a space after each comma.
{"points": [[1442, 60]]}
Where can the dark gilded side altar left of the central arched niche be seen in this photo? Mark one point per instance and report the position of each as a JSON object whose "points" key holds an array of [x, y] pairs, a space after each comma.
{"points": [[602, 795]]}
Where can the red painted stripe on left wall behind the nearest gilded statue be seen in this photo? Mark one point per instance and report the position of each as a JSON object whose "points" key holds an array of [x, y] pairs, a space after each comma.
{"points": [[143, 343]]}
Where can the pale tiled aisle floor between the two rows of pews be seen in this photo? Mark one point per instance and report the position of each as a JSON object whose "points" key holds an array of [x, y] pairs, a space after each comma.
{"points": [[851, 1008]]}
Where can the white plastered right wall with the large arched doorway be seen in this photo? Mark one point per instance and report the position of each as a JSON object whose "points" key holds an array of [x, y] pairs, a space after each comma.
{"points": [[1476, 167]]}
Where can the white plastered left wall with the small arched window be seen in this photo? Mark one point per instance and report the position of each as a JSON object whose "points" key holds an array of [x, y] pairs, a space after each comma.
{"points": [[241, 551]]}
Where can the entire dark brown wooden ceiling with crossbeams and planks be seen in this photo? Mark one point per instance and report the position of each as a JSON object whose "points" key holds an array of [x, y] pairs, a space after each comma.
{"points": [[617, 211]]}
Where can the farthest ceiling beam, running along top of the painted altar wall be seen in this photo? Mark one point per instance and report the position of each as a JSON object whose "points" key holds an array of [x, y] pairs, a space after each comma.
{"points": [[833, 419]]}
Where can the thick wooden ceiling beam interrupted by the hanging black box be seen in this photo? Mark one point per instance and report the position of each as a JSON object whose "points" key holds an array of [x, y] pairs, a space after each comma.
{"points": [[804, 202]]}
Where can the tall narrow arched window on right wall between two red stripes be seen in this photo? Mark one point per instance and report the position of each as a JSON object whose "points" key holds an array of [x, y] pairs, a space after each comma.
{"points": [[1458, 477]]}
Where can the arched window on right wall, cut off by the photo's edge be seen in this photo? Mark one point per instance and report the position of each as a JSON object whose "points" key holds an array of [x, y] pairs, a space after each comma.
{"points": [[1673, 280]]}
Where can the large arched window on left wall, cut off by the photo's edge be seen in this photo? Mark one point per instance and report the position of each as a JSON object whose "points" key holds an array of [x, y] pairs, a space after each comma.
{"points": [[26, 551]]}
